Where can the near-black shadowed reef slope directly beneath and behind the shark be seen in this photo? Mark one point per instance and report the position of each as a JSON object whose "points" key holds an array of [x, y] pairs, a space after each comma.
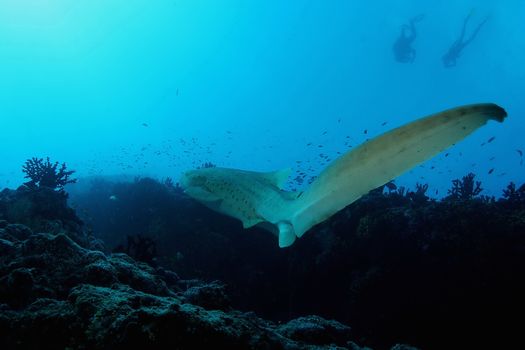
{"points": [[397, 266]]}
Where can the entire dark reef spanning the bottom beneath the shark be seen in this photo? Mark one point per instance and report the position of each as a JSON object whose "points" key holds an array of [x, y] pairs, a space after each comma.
{"points": [[396, 266]]}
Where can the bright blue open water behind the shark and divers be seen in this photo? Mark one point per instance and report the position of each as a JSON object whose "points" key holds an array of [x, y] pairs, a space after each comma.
{"points": [[152, 88]]}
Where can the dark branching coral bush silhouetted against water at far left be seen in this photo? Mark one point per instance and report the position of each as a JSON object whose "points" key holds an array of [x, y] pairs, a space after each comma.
{"points": [[43, 173]]}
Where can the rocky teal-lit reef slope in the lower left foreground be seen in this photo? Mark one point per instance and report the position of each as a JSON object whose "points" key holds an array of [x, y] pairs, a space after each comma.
{"points": [[57, 293]]}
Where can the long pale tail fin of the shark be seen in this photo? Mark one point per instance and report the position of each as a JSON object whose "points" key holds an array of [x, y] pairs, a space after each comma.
{"points": [[383, 158]]}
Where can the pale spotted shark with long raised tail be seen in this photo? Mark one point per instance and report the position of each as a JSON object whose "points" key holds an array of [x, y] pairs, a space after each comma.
{"points": [[259, 198]]}
